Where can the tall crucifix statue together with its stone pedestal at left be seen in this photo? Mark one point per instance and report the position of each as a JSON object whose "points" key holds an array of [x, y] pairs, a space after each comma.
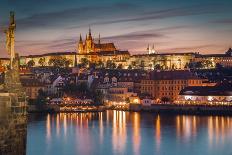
{"points": [[13, 105]]}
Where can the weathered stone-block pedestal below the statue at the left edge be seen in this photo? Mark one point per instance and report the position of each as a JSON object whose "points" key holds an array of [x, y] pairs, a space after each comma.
{"points": [[13, 128]]}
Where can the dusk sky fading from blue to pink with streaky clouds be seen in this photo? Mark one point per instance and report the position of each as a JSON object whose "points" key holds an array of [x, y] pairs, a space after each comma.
{"points": [[44, 26]]}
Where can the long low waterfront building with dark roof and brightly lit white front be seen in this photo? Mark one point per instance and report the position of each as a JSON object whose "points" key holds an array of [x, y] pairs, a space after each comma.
{"points": [[221, 94]]}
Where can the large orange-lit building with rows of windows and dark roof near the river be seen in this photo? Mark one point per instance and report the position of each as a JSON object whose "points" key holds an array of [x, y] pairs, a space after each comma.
{"points": [[166, 85]]}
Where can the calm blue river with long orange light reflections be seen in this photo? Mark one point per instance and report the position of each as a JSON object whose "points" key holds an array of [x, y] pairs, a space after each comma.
{"points": [[118, 132]]}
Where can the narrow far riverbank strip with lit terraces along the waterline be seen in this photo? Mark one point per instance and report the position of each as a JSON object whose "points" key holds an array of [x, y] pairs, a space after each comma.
{"points": [[154, 108]]}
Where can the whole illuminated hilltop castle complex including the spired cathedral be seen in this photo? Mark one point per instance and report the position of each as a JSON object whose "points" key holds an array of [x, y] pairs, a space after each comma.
{"points": [[91, 51]]}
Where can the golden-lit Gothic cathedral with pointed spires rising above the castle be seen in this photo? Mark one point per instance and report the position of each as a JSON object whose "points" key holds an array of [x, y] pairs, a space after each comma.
{"points": [[89, 46]]}
